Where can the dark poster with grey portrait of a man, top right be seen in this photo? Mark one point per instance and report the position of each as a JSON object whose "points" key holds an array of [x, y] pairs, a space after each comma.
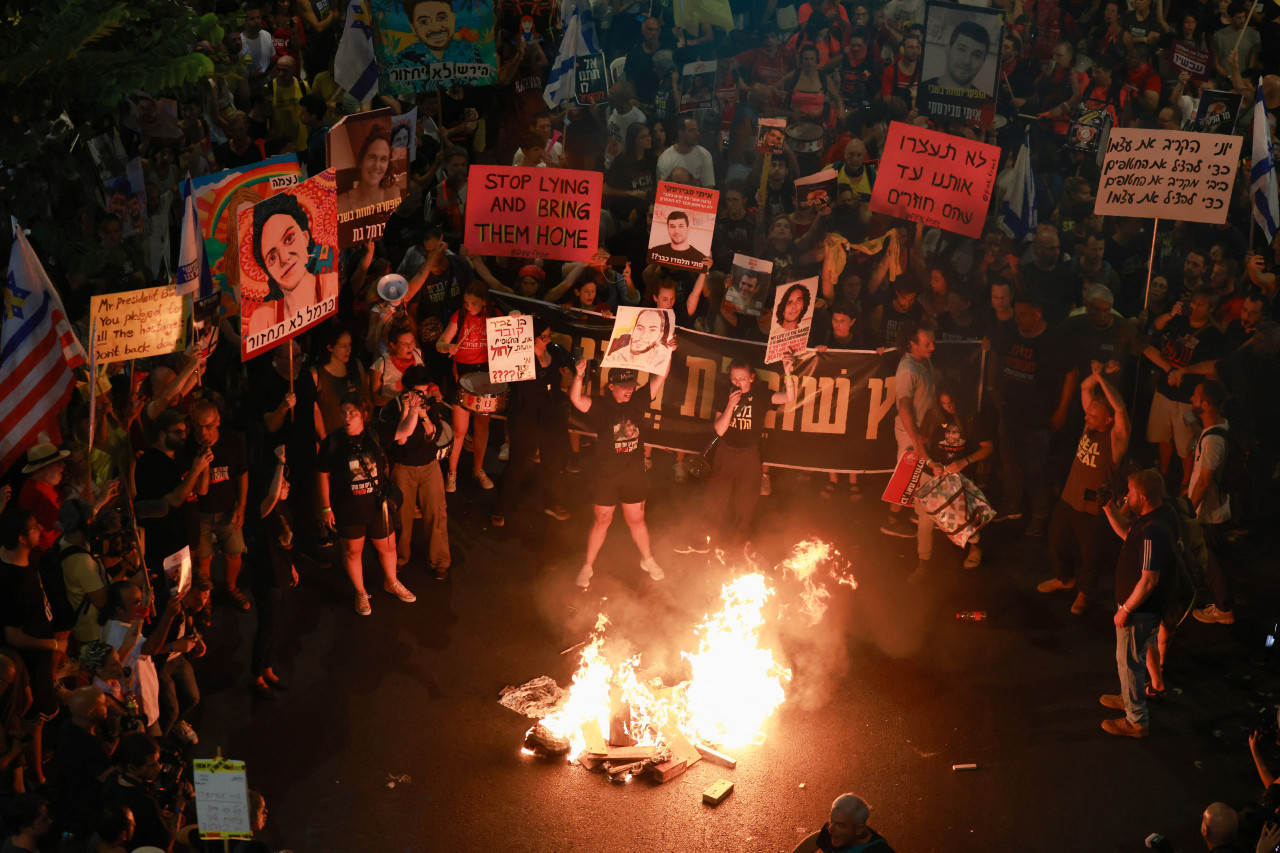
{"points": [[961, 66]]}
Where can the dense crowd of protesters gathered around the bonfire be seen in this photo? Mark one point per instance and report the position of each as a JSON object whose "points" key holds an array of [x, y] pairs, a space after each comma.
{"points": [[1113, 352]]}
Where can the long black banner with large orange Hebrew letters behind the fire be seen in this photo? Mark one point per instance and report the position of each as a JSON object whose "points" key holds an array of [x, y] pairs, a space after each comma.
{"points": [[843, 419]]}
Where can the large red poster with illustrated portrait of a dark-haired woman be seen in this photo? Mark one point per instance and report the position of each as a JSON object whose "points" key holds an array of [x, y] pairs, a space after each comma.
{"points": [[289, 264]]}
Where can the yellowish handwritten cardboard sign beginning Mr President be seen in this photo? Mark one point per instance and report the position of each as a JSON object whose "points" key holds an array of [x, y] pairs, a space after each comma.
{"points": [[138, 325]]}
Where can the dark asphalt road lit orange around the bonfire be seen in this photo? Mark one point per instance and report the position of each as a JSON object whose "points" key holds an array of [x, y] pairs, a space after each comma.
{"points": [[890, 692]]}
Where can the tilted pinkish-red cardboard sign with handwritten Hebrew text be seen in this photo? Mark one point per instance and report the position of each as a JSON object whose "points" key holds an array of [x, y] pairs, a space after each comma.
{"points": [[936, 179]]}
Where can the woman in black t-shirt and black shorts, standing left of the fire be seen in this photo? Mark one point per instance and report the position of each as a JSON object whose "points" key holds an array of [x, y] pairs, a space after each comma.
{"points": [[353, 482]]}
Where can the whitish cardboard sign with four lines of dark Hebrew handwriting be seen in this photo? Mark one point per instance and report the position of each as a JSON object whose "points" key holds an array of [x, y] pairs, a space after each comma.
{"points": [[1168, 175]]}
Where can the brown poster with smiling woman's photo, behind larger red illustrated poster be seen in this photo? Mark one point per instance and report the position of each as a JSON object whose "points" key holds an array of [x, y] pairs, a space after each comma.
{"points": [[372, 175]]}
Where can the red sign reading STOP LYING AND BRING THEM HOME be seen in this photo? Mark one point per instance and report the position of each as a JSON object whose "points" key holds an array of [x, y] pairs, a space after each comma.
{"points": [[534, 213]]}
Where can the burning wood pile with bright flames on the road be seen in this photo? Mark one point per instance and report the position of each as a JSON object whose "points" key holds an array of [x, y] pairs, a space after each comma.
{"points": [[611, 720]]}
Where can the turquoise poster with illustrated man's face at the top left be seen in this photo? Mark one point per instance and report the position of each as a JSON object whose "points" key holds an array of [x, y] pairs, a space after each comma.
{"points": [[435, 44]]}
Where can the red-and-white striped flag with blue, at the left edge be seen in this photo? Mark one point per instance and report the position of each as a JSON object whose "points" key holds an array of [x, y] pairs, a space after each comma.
{"points": [[38, 354]]}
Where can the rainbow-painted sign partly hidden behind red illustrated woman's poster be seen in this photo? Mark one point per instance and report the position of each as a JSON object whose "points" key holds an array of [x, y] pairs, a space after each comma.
{"points": [[221, 197]]}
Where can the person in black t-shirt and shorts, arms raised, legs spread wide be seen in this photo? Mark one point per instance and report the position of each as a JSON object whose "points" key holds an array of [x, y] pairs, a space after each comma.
{"points": [[618, 417]]}
